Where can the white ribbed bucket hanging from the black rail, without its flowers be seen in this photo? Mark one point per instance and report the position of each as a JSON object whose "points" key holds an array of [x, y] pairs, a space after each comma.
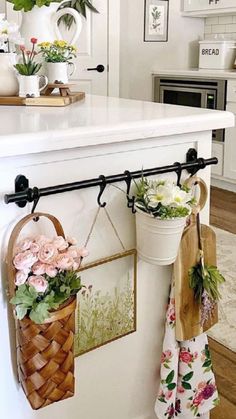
{"points": [[158, 240]]}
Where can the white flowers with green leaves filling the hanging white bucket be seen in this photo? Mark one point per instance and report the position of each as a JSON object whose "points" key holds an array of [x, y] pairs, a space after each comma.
{"points": [[163, 198]]}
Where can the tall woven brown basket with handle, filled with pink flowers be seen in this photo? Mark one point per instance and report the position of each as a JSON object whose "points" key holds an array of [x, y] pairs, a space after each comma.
{"points": [[43, 283]]}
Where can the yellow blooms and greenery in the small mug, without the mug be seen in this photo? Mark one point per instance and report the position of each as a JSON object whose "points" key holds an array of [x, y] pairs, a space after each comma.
{"points": [[58, 51]]}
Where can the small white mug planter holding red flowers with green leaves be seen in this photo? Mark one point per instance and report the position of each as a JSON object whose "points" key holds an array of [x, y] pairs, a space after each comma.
{"points": [[29, 81]]}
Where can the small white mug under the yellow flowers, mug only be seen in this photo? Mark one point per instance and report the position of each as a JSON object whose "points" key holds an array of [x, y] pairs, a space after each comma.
{"points": [[59, 72]]}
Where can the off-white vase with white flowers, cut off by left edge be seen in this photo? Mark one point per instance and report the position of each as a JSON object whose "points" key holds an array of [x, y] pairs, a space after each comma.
{"points": [[8, 35]]}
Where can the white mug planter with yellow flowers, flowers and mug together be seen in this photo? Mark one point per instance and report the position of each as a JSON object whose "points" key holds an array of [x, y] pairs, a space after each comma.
{"points": [[58, 56]]}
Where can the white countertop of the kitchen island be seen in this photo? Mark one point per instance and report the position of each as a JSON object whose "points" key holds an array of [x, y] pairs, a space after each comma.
{"points": [[99, 120]]}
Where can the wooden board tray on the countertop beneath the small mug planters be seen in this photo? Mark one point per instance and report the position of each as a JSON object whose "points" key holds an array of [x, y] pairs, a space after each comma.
{"points": [[52, 100]]}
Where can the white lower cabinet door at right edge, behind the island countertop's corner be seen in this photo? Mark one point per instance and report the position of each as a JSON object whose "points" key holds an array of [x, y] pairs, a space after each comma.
{"points": [[230, 148]]}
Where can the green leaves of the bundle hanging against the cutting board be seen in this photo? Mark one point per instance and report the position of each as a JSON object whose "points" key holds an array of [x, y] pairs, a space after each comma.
{"points": [[205, 278]]}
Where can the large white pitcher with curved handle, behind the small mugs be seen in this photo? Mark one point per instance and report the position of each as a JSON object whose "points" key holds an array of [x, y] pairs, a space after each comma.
{"points": [[42, 23]]}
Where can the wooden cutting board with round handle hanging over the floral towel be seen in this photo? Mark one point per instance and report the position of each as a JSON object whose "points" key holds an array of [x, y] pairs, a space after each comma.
{"points": [[188, 313]]}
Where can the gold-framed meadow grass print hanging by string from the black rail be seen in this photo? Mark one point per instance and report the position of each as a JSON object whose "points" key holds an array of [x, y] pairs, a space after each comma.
{"points": [[106, 308]]}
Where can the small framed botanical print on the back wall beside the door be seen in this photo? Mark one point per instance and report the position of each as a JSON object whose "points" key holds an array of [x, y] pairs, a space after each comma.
{"points": [[156, 15]]}
